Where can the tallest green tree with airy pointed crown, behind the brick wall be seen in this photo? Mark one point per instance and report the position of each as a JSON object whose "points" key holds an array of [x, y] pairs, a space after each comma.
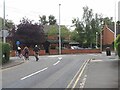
{"points": [[87, 27]]}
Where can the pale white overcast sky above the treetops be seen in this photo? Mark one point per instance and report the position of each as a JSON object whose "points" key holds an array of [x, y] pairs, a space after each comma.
{"points": [[15, 10]]}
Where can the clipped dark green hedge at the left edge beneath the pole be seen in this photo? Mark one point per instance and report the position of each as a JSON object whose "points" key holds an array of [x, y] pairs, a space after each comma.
{"points": [[5, 48]]}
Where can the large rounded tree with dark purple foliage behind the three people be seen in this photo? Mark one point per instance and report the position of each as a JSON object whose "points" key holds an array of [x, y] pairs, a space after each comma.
{"points": [[29, 34]]}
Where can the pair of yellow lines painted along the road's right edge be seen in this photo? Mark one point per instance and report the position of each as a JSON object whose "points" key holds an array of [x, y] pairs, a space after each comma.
{"points": [[77, 76]]}
